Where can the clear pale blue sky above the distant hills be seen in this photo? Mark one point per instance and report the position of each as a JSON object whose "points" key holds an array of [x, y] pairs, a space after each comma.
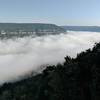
{"points": [[60, 12]]}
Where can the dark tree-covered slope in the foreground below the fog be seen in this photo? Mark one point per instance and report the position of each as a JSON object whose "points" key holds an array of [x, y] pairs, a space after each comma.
{"points": [[76, 79]]}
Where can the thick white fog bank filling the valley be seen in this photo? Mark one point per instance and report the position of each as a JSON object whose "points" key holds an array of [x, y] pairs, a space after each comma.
{"points": [[22, 55]]}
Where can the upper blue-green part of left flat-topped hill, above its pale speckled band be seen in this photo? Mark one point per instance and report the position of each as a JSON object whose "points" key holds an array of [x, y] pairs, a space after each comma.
{"points": [[29, 27]]}
